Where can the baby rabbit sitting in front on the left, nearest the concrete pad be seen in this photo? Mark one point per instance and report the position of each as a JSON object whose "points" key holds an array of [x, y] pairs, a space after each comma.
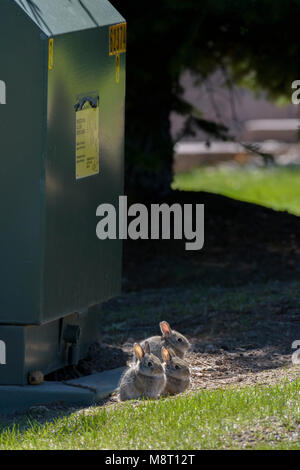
{"points": [[145, 379]]}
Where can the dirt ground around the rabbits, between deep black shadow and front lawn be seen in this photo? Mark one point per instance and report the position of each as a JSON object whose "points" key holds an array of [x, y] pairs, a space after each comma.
{"points": [[245, 346]]}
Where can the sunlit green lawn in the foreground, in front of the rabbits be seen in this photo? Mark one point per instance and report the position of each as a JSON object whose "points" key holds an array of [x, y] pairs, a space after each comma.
{"points": [[256, 417]]}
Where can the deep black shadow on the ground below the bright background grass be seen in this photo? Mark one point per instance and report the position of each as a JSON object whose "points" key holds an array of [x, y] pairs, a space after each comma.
{"points": [[244, 243]]}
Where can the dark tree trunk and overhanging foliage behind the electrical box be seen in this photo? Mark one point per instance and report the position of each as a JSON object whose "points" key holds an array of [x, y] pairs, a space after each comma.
{"points": [[255, 43]]}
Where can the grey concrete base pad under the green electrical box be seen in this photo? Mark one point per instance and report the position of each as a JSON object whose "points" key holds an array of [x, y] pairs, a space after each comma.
{"points": [[85, 391]]}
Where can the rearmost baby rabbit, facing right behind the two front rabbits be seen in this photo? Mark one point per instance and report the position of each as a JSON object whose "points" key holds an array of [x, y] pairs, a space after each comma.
{"points": [[169, 339]]}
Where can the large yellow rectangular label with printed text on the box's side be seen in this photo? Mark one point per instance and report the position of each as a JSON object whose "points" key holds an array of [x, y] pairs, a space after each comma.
{"points": [[87, 142]]}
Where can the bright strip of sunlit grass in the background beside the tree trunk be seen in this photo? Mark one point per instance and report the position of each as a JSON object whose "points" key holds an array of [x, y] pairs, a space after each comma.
{"points": [[276, 187]]}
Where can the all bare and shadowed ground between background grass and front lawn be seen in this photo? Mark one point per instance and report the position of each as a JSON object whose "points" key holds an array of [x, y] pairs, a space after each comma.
{"points": [[236, 300]]}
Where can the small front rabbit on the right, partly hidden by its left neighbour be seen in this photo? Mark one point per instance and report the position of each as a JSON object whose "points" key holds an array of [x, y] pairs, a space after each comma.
{"points": [[177, 373]]}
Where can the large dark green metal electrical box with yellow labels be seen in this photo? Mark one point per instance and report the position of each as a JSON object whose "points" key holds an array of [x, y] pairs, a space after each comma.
{"points": [[62, 101]]}
